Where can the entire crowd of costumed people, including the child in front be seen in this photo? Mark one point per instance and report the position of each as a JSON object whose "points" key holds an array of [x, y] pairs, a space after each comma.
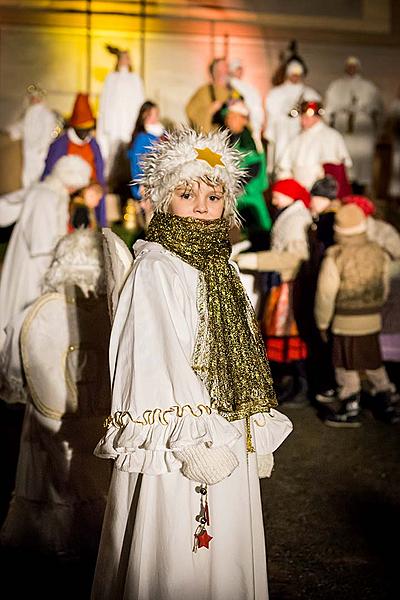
{"points": [[260, 275]]}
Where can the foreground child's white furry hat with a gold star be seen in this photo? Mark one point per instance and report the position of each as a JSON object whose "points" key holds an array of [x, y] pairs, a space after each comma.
{"points": [[185, 155]]}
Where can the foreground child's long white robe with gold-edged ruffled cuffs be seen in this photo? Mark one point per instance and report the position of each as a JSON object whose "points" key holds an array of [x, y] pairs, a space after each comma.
{"points": [[160, 405]]}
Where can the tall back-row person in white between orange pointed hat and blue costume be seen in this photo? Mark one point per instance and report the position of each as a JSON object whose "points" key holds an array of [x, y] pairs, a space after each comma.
{"points": [[119, 103]]}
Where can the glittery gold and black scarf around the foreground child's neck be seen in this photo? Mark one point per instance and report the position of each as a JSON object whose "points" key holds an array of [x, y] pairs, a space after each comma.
{"points": [[229, 354]]}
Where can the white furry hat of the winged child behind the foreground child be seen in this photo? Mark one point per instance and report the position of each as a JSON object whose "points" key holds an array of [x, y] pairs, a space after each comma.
{"points": [[78, 260]]}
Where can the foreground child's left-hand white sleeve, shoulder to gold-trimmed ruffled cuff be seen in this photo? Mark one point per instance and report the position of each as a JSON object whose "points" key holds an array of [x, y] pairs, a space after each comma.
{"points": [[159, 404]]}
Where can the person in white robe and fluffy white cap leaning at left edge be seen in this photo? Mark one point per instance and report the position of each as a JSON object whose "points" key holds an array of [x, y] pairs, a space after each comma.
{"points": [[43, 220]]}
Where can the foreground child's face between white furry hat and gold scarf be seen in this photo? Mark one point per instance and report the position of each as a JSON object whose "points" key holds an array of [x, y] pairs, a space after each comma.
{"points": [[198, 200]]}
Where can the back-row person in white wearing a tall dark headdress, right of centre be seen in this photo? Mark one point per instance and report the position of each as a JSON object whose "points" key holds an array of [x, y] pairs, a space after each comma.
{"points": [[281, 109]]}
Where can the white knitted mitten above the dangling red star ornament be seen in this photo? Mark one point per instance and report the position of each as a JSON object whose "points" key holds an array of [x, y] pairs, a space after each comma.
{"points": [[207, 465]]}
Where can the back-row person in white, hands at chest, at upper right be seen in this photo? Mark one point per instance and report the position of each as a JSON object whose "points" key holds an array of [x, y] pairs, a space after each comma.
{"points": [[354, 107]]}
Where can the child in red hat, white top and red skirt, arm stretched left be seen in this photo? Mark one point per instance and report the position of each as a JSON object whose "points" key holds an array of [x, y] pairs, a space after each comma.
{"points": [[289, 248]]}
